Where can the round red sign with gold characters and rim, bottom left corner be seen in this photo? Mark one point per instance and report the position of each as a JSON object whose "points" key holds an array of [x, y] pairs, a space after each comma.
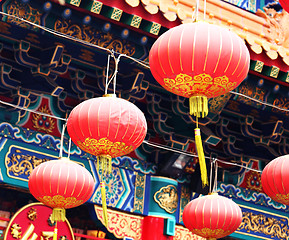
{"points": [[23, 227]]}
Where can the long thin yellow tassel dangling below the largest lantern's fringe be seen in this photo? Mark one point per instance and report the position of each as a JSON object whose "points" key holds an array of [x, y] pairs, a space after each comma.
{"points": [[202, 161]]}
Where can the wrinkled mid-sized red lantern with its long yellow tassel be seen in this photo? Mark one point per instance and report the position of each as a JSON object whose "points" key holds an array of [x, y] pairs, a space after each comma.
{"points": [[107, 127]]}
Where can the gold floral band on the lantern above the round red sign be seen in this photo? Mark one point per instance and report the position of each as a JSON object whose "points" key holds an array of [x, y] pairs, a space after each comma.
{"points": [[60, 201]]}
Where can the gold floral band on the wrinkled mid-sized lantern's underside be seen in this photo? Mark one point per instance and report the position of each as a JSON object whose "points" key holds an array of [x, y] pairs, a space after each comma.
{"points": [[104, 146]]}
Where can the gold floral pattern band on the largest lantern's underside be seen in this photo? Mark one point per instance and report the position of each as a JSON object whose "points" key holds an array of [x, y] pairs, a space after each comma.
{"points": [[202, 84]]}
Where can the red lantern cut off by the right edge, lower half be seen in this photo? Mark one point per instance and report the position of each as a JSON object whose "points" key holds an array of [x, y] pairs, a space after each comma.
{"points": [[274, 179]]}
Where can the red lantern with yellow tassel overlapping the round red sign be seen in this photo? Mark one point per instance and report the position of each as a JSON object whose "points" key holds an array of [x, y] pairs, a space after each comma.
{"points": [[61, 184]]}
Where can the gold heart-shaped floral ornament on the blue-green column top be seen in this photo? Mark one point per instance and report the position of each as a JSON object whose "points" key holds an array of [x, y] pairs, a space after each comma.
{"points": [[167, 198]]}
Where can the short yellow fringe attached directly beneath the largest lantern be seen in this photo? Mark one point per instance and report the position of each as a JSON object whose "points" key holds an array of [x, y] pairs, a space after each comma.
{"points": [[199, 106]]}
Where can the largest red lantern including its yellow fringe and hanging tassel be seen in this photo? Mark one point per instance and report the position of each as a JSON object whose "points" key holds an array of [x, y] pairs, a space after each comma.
{"points": [[199, 61]]}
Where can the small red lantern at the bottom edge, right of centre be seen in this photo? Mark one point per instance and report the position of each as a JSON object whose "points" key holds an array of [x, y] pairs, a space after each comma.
{"points": [[212, 216]]}
